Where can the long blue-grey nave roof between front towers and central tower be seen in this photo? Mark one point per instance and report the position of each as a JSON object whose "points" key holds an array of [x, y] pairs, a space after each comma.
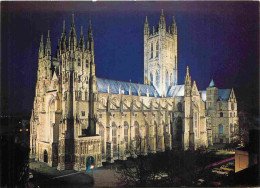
{"points": [[114, 85]]}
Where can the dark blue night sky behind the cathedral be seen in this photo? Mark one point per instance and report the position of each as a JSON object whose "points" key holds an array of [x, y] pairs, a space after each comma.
{"points": [[216, 39]]}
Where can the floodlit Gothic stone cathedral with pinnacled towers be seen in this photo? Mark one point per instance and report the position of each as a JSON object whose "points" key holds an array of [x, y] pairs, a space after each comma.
{"points": [[79, 119]]}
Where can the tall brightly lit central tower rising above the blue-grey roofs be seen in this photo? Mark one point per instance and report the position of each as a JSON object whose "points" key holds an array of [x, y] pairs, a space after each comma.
{"points": [[160, 55]]}
